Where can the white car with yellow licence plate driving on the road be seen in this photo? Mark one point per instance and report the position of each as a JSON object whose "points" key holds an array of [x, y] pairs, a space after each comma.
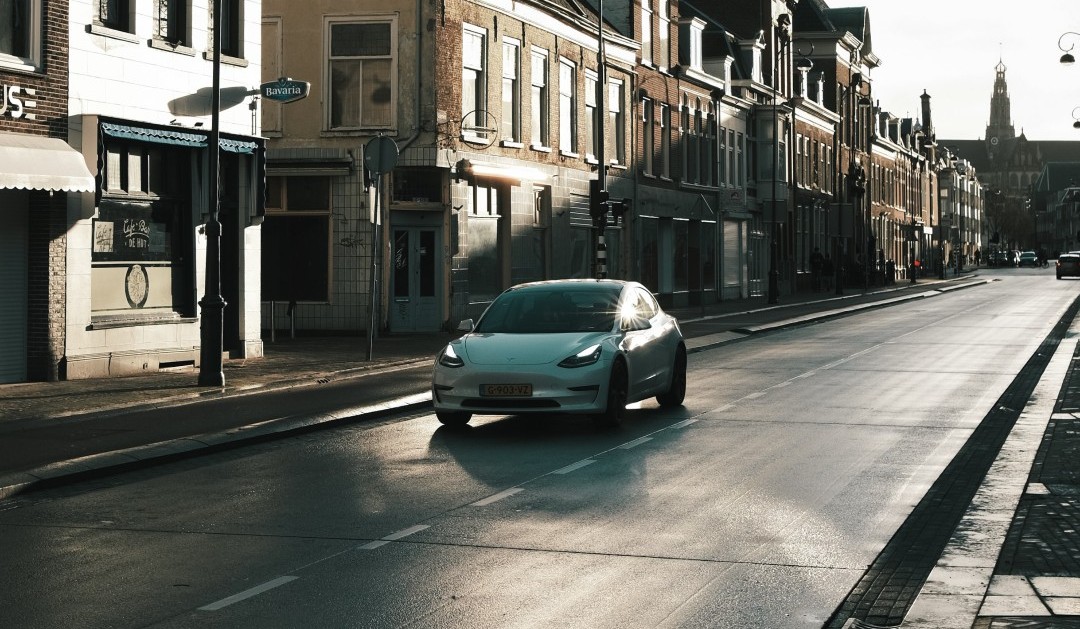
{"points": [[562, 346]]}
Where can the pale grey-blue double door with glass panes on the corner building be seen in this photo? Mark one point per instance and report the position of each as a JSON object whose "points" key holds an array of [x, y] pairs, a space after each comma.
{"points": [[414, 280]]}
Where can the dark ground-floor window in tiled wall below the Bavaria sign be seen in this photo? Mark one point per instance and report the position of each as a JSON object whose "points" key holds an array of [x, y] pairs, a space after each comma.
{"points": [[296, 239]]}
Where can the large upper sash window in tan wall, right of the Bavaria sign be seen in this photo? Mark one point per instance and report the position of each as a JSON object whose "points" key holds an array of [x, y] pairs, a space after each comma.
{"points": [[362, 93]]}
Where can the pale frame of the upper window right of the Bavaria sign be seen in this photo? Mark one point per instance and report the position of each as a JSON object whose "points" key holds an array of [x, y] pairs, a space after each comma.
{"points": [[329, 59]]}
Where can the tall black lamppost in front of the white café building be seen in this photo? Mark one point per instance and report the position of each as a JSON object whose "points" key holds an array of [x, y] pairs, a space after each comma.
{"points": [[213, 305]]}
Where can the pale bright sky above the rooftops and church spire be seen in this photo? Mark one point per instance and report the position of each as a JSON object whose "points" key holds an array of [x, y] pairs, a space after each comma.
{"points": [[950, 49]]}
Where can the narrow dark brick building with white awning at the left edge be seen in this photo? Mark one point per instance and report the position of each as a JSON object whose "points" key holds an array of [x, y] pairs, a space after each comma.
{"points": [[39, 173]]}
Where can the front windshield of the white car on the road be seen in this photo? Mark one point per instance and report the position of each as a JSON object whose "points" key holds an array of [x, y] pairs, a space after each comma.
{"points": [[551, 310]]}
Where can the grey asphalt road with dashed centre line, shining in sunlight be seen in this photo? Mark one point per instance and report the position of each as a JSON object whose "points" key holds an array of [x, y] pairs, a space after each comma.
{"points": [[760, 504]]}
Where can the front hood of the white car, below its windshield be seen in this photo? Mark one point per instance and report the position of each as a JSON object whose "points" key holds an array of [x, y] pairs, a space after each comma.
{"points": [[518, 350]]}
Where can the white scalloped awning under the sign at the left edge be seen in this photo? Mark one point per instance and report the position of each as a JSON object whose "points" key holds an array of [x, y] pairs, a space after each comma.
{"points": [[33, 163]]}
